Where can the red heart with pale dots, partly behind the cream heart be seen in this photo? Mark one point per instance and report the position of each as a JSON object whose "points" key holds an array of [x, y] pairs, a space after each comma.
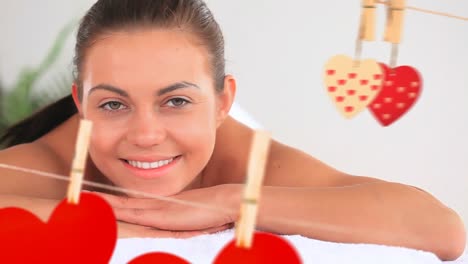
{"points": [[399, 92]]}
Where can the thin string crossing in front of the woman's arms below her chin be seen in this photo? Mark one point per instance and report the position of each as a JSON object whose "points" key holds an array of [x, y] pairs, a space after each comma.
{"points": [[282, 220]]}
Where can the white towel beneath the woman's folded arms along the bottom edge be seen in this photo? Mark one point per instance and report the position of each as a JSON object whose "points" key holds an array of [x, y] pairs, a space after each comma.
{"points": [[203, 249]]}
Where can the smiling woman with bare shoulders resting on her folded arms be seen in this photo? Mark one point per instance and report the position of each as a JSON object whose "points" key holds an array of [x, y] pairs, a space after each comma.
{"points": [[150, 75]]}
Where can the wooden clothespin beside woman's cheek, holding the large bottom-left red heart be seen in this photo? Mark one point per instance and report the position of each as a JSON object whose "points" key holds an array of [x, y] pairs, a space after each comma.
{"points": [[79, 161]]}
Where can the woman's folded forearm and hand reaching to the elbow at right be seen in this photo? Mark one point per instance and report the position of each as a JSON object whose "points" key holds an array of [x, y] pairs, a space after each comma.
{"points": [[377, 213]]}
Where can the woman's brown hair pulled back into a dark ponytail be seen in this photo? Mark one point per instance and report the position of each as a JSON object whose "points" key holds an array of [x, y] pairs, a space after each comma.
{"points": [[107, 16]]}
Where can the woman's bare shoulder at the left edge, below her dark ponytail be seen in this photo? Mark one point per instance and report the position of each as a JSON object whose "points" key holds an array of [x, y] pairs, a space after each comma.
{"points": [[36, 156]]}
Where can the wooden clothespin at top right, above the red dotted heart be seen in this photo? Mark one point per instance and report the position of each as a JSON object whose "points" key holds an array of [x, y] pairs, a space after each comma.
{"points": [[395, 13]]}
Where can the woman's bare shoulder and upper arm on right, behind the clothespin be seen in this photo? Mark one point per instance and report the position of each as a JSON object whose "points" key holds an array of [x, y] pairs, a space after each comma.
{"points": [[287, 166]]}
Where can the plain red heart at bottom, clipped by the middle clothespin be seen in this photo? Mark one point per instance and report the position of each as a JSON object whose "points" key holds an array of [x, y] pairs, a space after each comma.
{"points": [[266, 248]]}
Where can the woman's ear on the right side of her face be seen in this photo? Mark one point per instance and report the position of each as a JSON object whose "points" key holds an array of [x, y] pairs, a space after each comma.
{"points": [[225, 99]]}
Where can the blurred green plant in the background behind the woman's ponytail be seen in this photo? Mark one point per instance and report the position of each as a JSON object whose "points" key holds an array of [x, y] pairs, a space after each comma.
{"points": [[21, 101]]}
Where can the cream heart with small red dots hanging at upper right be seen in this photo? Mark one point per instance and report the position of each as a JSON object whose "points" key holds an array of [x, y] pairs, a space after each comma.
{"points": [[352, 86]]}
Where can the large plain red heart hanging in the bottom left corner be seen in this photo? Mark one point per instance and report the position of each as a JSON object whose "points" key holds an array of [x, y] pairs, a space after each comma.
{"points": [[83, 233]]}
